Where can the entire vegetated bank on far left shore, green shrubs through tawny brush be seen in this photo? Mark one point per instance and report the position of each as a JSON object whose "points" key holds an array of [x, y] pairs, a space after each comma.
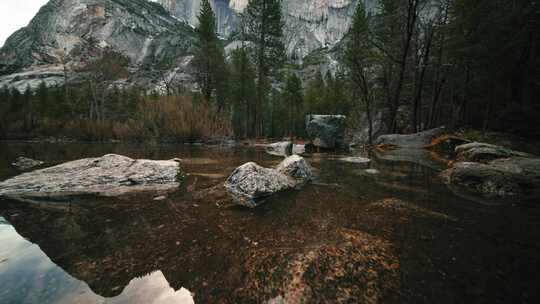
{"points": [[150, 118]]}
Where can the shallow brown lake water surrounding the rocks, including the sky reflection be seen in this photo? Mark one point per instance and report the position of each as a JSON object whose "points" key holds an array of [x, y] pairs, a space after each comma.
{"points": [[399, 236]]}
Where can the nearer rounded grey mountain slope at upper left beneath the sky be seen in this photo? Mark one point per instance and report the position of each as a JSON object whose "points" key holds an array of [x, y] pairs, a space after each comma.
{"points": [[72, 30]]}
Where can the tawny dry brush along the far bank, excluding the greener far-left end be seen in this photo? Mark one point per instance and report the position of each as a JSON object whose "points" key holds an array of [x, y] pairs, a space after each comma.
{"points": [[167, 118]]}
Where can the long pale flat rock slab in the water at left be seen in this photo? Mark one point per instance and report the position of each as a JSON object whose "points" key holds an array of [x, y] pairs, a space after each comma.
{"points": [[109, 175]]}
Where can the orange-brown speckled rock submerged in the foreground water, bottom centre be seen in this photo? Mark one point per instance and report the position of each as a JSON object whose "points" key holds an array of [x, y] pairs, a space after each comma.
{"points": [[355, 267]]}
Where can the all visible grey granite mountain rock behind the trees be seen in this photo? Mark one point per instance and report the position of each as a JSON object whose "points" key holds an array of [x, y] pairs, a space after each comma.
{"points": [[147, 33]]}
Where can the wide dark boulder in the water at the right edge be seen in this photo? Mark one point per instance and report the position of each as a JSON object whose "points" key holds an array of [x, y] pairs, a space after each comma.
{"points": [[515, 178]]}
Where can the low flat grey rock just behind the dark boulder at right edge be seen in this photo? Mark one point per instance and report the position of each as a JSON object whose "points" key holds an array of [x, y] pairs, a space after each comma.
{"points": [[482, 152]]}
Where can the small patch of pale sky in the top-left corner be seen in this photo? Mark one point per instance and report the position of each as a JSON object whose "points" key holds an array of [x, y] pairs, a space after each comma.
{"points": [[15, 14]]}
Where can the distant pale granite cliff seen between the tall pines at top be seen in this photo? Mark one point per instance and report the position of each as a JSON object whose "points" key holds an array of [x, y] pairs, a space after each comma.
{"points": [[309, 24]]}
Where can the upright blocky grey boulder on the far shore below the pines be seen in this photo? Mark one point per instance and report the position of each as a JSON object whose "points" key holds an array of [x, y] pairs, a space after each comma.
{"points": [[326, 131]]}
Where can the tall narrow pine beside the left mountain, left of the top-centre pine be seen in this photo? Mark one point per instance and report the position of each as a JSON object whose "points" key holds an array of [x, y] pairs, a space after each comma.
{"points": [[209, 60]]}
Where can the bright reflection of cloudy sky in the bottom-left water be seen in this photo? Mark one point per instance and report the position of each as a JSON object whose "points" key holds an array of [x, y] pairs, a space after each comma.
{"points": [[27, 275]]}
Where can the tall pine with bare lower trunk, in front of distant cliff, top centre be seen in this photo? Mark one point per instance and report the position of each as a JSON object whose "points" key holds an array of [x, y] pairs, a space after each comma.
{"points": [[263, 27]]}
